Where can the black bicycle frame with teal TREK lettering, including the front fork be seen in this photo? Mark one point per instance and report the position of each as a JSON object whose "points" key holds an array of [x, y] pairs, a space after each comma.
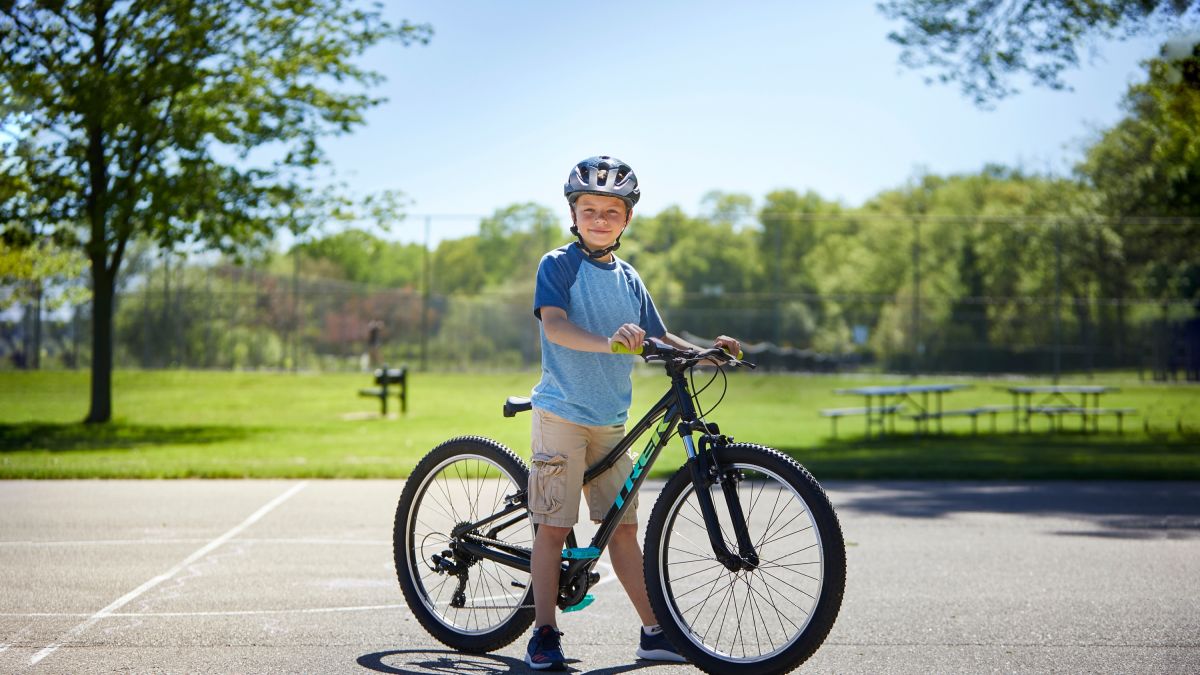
{"points": [[674, 410]]}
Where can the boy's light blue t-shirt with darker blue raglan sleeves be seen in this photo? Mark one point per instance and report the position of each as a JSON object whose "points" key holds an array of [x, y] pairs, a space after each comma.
{"points": [[585, 387]]}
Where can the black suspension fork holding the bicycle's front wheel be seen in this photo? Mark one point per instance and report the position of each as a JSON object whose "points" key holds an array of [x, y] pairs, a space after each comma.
{"points": [[705, 471]]}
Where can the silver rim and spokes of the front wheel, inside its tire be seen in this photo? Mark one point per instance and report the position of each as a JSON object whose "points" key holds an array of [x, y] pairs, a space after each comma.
{"points": [[749, 616]]}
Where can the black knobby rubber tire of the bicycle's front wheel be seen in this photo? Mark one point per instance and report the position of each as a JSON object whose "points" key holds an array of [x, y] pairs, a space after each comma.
{"points": [[833, 547]]}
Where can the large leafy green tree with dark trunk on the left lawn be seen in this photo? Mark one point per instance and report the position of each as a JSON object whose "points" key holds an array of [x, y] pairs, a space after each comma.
{"points": [[176, 122]]}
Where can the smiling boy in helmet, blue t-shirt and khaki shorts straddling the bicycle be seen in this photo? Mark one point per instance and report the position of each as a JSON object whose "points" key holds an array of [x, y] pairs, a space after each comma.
{"points": [[587, 300]]}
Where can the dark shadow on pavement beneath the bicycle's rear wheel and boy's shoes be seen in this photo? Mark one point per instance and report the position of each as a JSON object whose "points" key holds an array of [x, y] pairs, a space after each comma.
{"points": [[424, 662]]}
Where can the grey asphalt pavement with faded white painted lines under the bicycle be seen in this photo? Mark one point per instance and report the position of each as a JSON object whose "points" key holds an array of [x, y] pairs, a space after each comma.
{"points": [[297, 577]]}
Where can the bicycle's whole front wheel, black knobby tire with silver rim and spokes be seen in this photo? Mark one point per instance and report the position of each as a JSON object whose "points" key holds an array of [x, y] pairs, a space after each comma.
{"points": [[772, 617]]}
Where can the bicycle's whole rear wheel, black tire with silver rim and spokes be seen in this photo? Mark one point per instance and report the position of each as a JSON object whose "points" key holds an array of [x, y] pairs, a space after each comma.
{"points": [[463, 480]]}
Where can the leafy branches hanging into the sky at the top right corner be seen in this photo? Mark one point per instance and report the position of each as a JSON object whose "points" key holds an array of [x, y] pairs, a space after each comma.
{"points": [[982, 45]]}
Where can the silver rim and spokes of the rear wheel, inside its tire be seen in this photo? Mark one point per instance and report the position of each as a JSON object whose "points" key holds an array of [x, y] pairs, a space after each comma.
{"points": [[465, 488]]}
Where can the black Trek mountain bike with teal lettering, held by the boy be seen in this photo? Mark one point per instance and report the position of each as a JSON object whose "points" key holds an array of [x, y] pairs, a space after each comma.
{"points": [[745, 558]]}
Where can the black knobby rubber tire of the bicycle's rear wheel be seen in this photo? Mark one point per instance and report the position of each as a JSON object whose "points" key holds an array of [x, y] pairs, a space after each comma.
{"points": [[519, 473]]}
